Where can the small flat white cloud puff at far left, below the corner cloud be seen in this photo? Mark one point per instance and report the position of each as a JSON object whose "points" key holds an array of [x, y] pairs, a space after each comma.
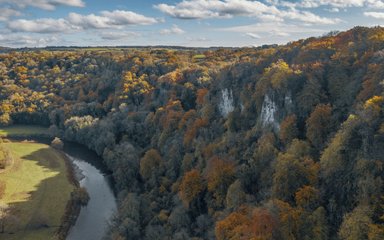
{"points": [[43, 25]]}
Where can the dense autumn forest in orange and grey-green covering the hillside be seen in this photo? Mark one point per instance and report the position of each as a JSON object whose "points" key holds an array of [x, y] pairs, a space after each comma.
{"points": [[274, 142]]}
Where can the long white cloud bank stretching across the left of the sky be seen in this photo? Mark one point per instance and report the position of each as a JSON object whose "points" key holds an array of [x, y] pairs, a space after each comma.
{"points": [[75, 21]]}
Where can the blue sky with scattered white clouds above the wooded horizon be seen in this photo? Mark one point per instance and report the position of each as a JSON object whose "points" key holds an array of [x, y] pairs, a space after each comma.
{"points": [[192, 23]]}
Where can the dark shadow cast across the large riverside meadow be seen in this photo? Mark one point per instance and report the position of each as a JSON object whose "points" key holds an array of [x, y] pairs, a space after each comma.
{"points": [[40, 216]]}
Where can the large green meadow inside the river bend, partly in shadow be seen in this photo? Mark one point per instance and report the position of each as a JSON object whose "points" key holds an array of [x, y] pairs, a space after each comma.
{"points": [[37, 189]]}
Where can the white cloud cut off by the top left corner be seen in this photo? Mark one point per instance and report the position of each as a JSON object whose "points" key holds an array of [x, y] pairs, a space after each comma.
{"points": [[44, 4]]}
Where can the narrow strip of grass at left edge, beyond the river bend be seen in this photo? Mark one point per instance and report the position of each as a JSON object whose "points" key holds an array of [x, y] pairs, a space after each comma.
{"points": [[23, 130]]}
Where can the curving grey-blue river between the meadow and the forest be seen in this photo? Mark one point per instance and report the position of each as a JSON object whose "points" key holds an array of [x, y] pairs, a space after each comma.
{"points": [[93, 220]]}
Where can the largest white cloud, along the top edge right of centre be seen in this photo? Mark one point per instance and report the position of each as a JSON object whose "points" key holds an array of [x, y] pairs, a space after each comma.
{"points": [[203, 9]]}
